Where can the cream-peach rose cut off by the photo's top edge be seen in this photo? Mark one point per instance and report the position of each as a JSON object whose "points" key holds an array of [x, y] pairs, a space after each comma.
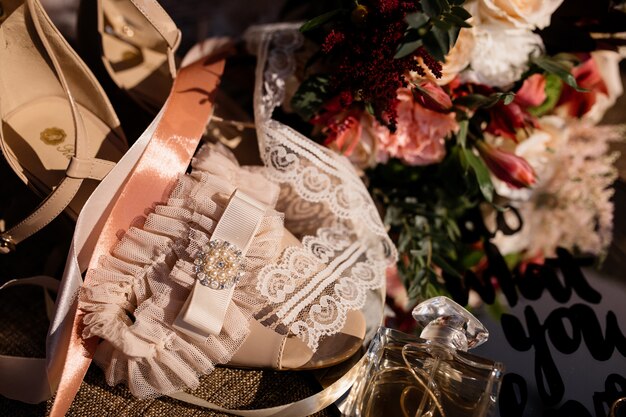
{"points": [[522, 14]]}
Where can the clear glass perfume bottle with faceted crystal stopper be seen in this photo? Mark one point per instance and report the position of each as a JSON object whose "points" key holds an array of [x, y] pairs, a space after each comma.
{"points": [[432, 375]]}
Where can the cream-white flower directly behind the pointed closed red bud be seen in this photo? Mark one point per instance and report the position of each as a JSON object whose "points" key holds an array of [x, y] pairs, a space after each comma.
{"points": [[542, 150]]}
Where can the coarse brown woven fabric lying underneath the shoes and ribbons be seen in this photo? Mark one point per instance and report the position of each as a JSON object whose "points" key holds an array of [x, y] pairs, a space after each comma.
{"points": [[23, 326]]}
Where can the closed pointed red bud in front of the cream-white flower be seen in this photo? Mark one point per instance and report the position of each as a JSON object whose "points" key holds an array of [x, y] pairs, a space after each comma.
{"points": [[507, 167]]}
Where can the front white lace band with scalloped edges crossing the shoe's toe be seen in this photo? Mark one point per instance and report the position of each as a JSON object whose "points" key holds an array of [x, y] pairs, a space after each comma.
{"points": [[314, 286]]}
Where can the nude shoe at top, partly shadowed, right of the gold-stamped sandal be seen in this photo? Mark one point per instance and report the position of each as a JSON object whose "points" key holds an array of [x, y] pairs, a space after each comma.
{"points": [[139, 41]]}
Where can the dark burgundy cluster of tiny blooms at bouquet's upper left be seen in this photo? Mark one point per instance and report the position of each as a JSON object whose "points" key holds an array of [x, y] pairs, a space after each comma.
{"points": [[363, 48]]}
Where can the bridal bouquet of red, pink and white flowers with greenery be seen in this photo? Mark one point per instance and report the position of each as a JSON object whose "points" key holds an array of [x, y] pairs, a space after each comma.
{"points": [[473, 124]]}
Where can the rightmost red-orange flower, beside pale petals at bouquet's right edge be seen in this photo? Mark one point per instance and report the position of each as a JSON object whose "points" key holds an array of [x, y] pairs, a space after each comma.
{"points": [[578, 103]]}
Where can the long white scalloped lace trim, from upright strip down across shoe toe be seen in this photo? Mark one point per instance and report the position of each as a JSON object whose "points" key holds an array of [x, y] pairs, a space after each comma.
{"points": [[345, 249]]}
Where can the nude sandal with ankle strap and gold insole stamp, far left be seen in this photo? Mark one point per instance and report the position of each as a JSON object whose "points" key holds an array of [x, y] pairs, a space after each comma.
{"points": [[59, 132]]}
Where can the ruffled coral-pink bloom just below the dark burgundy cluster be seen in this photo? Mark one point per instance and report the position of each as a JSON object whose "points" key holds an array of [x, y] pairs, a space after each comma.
{"points": [[419, 139]]}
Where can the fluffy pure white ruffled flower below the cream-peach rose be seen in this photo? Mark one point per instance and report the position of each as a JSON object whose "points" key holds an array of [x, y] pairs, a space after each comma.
{"points": [[500, 56]]}
